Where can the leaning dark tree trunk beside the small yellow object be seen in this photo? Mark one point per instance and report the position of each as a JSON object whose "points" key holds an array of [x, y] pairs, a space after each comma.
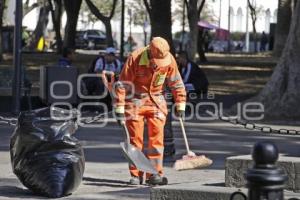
{"points": [[41, 26]]}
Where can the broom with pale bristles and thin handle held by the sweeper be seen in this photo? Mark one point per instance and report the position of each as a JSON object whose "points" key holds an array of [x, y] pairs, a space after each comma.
{"points": [[190, 160]]}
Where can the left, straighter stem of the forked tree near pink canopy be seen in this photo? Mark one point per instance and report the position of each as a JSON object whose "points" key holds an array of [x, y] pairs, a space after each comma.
{"points": [[193, 19]]}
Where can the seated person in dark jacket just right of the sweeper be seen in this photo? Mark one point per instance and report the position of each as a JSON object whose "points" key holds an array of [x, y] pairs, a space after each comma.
{"points": [[192, 75]]}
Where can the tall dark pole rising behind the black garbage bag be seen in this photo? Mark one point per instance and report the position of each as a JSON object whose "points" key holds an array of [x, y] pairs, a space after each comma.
{"points": [[17, 80]]}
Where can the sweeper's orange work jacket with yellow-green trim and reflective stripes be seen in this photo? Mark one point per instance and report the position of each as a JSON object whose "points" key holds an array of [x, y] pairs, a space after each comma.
{"points": [[149, 81]]}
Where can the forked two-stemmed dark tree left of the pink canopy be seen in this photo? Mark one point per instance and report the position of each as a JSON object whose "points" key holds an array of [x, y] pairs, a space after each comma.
{"points": [[194, 8]]}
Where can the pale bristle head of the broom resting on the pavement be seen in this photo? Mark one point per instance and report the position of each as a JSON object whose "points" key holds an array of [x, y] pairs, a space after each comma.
{"points": [[195, 162]]}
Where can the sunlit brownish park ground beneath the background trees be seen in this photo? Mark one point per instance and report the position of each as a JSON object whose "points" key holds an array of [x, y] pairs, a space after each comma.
{"points": [[227, 73]]}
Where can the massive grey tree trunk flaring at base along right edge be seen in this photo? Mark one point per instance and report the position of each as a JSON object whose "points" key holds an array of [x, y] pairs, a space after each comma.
{"points": [[281, 95]]}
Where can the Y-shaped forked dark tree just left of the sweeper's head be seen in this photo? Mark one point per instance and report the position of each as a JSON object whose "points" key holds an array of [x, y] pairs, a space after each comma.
{"points": [[106, 20]]}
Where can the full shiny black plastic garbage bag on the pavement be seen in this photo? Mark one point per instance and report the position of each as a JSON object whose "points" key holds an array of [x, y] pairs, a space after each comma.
{"points": [[45, 156]]}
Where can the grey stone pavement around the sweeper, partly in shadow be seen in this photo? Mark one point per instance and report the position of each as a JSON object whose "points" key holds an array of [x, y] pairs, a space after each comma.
{"points": [[106, 172]]}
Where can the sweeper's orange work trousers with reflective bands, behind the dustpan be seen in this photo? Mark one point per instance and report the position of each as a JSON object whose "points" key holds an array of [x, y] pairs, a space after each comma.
{"points": [[155, 120]]}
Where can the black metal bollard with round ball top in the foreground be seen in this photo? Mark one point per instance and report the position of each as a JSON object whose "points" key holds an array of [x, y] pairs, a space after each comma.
{"points": [[265, 181]]}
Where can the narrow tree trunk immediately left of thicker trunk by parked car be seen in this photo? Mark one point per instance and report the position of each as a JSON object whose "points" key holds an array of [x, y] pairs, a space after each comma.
{"points": [[56, 13]]}
